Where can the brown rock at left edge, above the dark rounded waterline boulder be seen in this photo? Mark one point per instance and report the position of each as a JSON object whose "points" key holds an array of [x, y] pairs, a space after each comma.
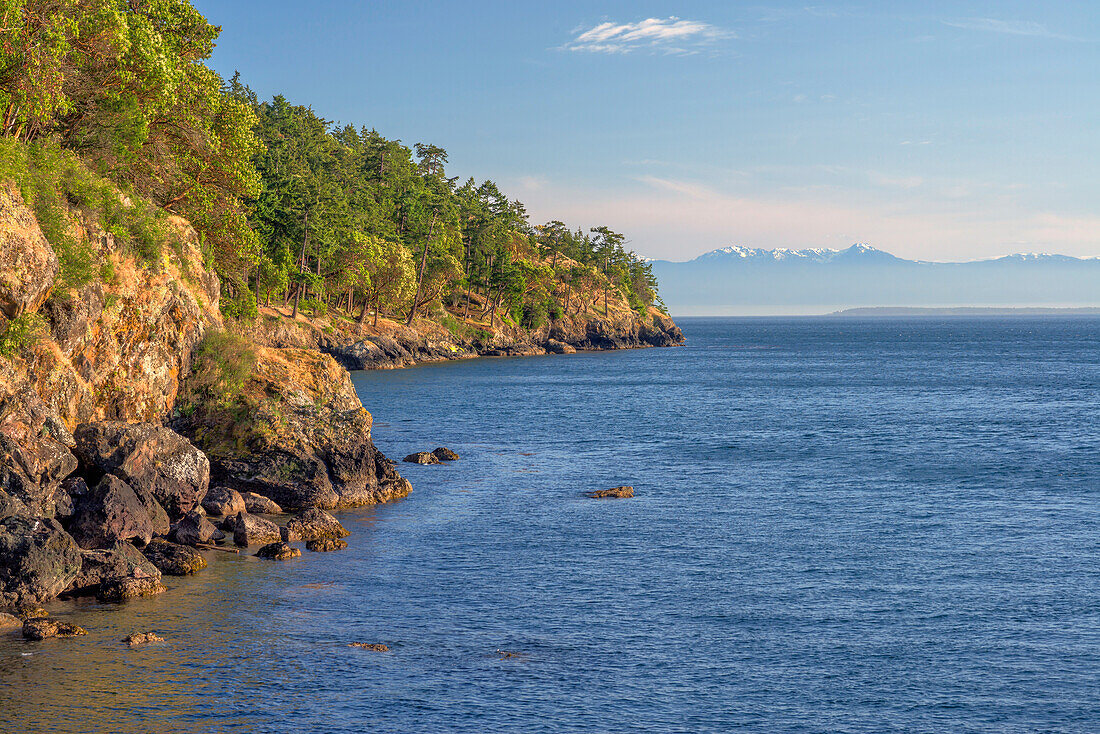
{"points": [[32, 469]]}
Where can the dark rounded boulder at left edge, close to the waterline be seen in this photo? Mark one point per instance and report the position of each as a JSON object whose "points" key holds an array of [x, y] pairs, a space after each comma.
{"points": [[38, 561]]}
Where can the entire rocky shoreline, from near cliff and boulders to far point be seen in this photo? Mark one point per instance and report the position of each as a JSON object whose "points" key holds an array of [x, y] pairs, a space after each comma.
{"points": [[139, 428]]}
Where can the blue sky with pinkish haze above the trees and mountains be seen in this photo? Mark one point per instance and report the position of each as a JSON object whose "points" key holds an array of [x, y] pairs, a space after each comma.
{"points": [[933, 130]]}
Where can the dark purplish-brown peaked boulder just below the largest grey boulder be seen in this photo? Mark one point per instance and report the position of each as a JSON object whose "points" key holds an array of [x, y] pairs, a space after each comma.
{"points": [[111, 512]]}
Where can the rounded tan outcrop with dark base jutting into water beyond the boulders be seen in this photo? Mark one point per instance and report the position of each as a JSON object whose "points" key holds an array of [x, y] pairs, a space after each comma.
{"points": [[305, 441]]}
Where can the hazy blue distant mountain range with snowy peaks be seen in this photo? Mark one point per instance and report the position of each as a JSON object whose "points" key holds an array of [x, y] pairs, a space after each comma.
{"points": [[739, 280]]}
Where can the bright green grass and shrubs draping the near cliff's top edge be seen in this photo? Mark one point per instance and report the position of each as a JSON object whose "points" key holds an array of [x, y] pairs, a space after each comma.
{"points": [[52, 181]]}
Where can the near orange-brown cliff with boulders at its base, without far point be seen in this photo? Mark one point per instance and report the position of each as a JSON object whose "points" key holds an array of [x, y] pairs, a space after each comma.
{"points": [[91, 379]]}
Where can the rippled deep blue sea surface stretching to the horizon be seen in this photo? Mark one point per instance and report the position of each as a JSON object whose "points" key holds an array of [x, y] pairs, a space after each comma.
{"points": [[884, 525]]}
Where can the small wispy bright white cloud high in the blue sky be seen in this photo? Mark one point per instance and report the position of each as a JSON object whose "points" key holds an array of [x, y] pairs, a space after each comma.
{"points": [[672, 36]]}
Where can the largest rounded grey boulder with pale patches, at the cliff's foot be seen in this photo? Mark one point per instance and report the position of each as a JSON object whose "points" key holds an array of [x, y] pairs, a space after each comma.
{"points": [[149, 457]]}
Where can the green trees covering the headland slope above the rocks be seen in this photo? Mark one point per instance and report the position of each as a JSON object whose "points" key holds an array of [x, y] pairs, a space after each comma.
{"points": [[293, 211]]}
